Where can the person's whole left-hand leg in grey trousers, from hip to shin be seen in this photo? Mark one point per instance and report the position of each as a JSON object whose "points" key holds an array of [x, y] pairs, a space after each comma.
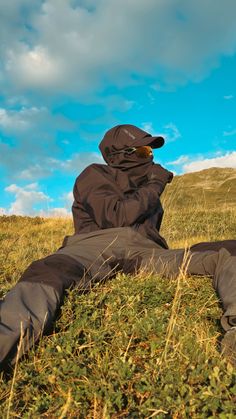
{"points": [[30, 307]]}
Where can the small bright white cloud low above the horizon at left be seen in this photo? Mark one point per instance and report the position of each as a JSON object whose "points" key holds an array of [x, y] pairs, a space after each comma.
{"points": [[26, 199]]}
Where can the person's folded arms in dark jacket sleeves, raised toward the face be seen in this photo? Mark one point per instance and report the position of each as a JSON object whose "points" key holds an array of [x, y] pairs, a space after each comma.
{"points": [[109, 208]]}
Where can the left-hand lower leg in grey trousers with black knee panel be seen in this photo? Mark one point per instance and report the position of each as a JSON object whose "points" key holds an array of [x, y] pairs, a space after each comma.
{"points": [[30, 307]]}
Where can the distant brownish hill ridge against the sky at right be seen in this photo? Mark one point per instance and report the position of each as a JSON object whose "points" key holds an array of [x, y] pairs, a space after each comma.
{"points": [[210, 187]]}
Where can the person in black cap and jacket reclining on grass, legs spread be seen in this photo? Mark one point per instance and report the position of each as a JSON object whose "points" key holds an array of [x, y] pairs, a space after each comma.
{"points": [[117, 215]]}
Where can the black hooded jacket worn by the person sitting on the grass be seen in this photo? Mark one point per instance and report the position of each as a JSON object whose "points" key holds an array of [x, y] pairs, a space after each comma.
{"points": [[126, 192]]}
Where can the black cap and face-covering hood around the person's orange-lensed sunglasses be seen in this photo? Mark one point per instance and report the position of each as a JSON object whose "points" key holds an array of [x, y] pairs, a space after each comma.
{"points": [[122, 137]]}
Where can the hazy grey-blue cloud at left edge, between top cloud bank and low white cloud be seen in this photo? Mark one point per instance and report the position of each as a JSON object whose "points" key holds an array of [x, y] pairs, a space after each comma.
{"points": [[30, 136]]}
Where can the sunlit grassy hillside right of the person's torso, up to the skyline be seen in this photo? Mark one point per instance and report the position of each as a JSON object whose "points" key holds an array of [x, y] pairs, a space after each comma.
{"points": [[200, 206]]}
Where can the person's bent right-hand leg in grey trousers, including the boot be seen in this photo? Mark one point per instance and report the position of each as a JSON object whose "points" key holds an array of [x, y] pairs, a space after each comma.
{"points": [[221, 266]]}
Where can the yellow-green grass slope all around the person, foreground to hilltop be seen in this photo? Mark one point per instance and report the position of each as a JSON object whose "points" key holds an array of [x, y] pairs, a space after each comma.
{"points": [[135, 346]]}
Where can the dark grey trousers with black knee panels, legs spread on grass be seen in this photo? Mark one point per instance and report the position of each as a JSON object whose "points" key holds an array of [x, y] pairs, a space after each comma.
{"points": [[30, 308]]}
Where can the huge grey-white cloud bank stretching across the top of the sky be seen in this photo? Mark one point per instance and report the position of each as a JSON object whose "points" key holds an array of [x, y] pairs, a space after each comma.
{"points": [[77, 46]]}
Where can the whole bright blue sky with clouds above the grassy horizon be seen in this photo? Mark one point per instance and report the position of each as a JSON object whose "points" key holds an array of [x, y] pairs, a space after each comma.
{"points": [[71, 69]]}
